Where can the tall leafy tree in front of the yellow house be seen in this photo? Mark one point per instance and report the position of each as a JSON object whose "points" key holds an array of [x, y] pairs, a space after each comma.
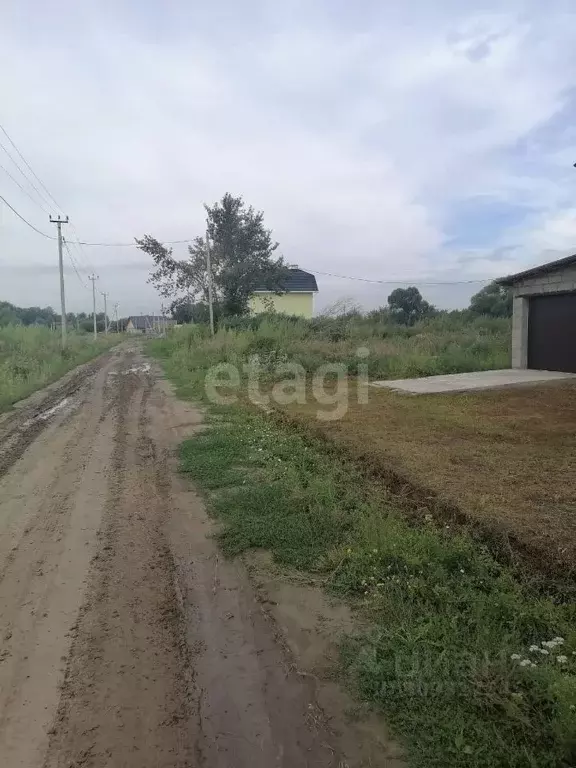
{"points": [[242, 257]]}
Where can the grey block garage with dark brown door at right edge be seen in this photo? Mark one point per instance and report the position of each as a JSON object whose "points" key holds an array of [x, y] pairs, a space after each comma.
{"points": [[544, 316]]}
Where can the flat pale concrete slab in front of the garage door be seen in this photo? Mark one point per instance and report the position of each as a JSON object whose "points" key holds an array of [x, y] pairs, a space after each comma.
{"points": [[473, 382]]}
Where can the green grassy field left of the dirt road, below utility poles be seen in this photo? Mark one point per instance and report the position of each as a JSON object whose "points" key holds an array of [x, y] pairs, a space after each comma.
{"points": [[31, 358]]}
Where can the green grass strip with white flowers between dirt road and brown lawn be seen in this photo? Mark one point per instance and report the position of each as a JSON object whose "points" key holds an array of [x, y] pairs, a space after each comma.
{"points": [[446, 617]]}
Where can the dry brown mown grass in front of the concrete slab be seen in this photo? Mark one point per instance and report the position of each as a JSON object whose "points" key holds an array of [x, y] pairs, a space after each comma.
{"points": [[505, 459]]}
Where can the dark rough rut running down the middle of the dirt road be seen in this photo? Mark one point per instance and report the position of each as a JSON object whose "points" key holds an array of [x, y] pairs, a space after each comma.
{"points": [[125, 697]]}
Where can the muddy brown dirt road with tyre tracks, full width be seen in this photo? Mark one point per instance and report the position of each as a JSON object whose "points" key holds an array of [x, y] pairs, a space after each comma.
{"points": [[126, 641]]}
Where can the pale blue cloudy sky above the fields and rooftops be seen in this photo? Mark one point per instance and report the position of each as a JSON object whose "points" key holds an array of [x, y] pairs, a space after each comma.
{"points": [[417, 141]]}
